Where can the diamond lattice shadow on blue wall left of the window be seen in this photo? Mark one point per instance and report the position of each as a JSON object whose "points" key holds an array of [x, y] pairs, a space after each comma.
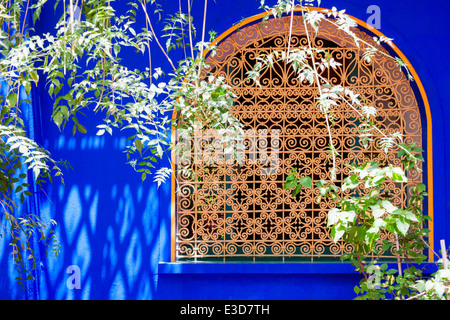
{"points": [[108, 224]]}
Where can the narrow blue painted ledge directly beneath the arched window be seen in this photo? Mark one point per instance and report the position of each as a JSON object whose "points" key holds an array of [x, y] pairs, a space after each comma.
{"points": [[268, 268]]}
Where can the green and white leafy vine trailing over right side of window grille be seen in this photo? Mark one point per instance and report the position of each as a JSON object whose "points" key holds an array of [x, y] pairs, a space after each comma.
{"points": [[359, 219]]}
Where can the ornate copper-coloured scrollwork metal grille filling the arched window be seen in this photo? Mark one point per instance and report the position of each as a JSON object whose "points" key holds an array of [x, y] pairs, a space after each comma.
{"points": [[242, 212]]}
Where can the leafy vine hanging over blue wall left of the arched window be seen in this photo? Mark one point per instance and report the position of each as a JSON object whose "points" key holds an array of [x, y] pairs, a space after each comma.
{"points": [[81, 65]]}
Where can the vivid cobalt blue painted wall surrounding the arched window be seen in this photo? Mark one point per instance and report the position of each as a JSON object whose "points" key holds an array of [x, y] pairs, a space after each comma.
{"points": [[116, 229]]}
